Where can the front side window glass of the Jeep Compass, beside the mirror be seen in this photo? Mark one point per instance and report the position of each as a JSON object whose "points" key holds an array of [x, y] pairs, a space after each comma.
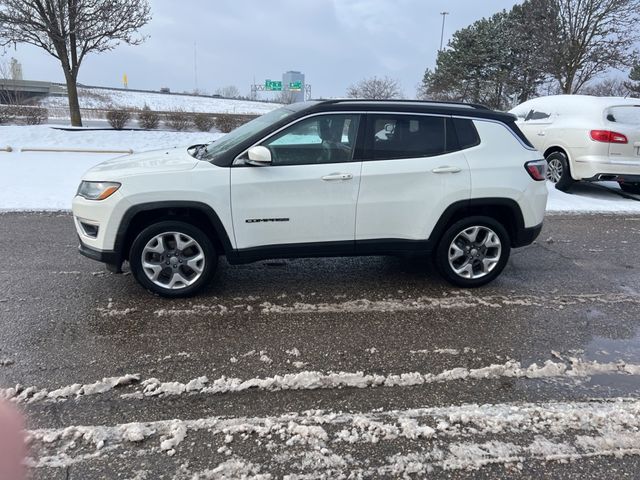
{"points": [[315, 140]]}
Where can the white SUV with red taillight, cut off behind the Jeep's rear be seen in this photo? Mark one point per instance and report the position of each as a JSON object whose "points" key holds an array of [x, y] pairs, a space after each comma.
{"points": [[585, 138]]}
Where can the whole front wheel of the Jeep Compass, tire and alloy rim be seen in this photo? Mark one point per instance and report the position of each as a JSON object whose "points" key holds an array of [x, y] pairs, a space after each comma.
{"points": [[173, 259]]}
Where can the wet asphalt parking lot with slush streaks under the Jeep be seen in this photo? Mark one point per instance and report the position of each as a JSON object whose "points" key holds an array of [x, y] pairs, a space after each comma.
{"points": [[370, 367]]}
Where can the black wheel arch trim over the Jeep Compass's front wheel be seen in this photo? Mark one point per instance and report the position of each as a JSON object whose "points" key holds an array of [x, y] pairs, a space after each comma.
{"points": [[198, 214]]}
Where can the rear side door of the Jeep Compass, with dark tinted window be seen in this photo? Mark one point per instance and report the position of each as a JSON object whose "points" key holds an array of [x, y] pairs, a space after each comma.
{"points": [[412, 172]]}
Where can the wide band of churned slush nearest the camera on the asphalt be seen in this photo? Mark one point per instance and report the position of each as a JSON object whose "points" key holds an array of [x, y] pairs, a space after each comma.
{"points": [[416, 441]]}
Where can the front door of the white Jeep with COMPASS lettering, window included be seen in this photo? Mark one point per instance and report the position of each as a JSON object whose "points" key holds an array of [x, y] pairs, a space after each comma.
{"points": [[309, 192]]}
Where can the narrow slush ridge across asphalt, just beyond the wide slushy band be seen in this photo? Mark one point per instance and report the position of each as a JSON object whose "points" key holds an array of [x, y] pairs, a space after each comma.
{"points": [[312, 380]]}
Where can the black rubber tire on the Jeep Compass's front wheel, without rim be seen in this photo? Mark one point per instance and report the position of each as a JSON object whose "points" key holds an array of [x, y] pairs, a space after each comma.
{"points": [[202, 242]]}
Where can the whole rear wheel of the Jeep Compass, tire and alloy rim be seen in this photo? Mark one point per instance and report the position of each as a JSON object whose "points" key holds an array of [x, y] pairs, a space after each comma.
{"points": [[473, 252]]}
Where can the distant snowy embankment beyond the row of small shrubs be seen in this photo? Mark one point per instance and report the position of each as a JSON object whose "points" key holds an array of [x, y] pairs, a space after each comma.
{"points": [[101, 99]]}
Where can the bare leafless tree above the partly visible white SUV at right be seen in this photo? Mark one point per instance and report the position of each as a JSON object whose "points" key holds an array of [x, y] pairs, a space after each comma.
{"points": [[590, 38]]}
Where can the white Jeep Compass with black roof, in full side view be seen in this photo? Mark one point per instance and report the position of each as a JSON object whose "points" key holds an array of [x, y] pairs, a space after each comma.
{"points": [[331, 178]]}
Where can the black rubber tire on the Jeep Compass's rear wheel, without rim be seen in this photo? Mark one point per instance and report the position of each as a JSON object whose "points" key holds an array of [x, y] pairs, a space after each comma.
{"points": [[441, 256]]}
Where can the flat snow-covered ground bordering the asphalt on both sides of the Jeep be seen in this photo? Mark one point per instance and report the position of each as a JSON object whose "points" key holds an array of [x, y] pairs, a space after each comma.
{"points": [[48, 181]]}
